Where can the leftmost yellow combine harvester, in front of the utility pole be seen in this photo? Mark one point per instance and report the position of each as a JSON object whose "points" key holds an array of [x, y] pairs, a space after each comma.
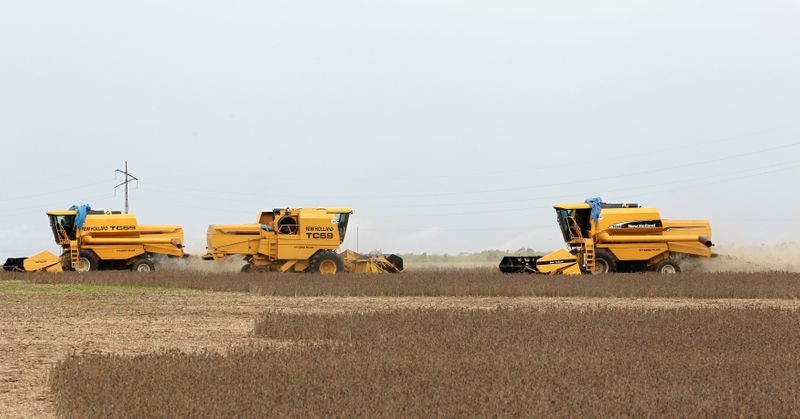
{"points": [[95, 240]]}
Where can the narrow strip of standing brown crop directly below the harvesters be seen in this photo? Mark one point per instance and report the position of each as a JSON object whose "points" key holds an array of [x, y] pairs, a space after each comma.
{"points": [[453, 283]]}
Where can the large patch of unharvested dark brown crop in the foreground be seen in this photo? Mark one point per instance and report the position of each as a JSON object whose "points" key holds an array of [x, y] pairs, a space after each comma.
{"points": [[462, 363]]}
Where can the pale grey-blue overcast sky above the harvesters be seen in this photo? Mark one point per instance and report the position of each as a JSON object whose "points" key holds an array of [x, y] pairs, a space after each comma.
{"points": [[449, 126]]}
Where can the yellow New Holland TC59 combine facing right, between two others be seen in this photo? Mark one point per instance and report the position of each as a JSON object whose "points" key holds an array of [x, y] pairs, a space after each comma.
{"points": [[295, 240]]}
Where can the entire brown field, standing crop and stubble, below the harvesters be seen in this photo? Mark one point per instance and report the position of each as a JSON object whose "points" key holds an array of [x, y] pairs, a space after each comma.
{"points": [[627, 345]]}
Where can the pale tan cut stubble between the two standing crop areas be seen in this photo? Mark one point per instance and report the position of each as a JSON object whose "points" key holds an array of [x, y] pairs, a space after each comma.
{"points": [[42, 324]]}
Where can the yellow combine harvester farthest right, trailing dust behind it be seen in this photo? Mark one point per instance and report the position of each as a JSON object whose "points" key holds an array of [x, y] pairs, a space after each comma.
{"points": [[617, 238]]}
